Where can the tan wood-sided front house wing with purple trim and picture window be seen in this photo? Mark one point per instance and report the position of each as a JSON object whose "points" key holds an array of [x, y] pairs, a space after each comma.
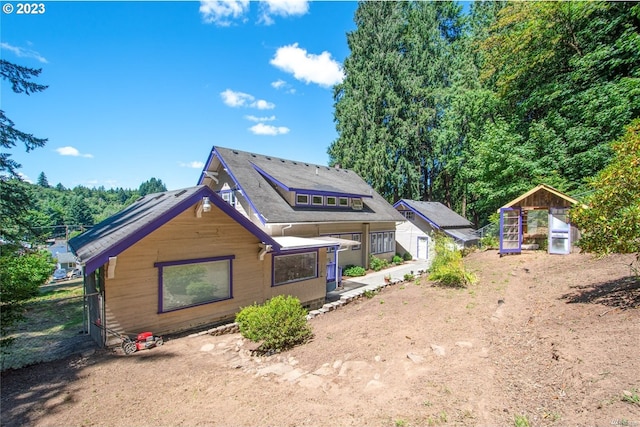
{"points": [[178, 260]]}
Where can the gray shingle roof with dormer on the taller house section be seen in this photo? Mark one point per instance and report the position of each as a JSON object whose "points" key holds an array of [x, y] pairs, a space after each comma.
{"points": [[257, 175]]}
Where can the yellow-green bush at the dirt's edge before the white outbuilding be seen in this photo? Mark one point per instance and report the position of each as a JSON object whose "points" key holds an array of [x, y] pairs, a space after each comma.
{"points": [[447, 267]]}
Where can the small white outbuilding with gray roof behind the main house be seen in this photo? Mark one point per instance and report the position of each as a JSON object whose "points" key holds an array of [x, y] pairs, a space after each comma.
{"points": [[423, 220]]}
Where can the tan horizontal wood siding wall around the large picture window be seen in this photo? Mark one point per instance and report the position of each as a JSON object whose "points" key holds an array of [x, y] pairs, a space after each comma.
{"points": [[131, 297]]}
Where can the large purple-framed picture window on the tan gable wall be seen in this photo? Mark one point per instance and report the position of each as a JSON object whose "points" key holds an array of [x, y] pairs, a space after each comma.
{"points": [[194, 282]]}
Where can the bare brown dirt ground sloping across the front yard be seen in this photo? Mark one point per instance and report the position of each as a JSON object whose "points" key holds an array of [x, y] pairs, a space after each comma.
{"points": [[551, 340]]}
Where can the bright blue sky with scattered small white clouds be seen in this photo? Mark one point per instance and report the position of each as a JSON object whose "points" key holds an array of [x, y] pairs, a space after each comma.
{"points": [[146, 89]]}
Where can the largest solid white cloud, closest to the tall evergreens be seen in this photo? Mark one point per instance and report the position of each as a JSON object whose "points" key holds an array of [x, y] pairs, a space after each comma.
{"points": [[308, 67]]}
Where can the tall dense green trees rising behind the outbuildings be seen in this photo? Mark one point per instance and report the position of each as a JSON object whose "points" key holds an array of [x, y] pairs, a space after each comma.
{"points": [[473, 108]]}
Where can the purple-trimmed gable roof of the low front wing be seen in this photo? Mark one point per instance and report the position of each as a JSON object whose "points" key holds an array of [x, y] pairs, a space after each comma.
{"points": [[120, 231]]}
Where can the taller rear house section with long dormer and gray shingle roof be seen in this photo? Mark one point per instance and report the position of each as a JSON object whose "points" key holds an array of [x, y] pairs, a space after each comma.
{"points": [[294, 199]]}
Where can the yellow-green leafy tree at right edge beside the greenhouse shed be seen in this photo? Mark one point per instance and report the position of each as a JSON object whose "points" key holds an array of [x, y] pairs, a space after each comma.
{"points": [[610, 218]]}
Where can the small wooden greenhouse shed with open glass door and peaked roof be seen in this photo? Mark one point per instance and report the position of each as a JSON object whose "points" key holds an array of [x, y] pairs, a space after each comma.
{"points": [[537, 219]]}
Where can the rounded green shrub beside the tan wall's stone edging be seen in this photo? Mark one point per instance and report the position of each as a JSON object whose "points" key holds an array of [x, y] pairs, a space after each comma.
{"points": [[278, 324]]}
